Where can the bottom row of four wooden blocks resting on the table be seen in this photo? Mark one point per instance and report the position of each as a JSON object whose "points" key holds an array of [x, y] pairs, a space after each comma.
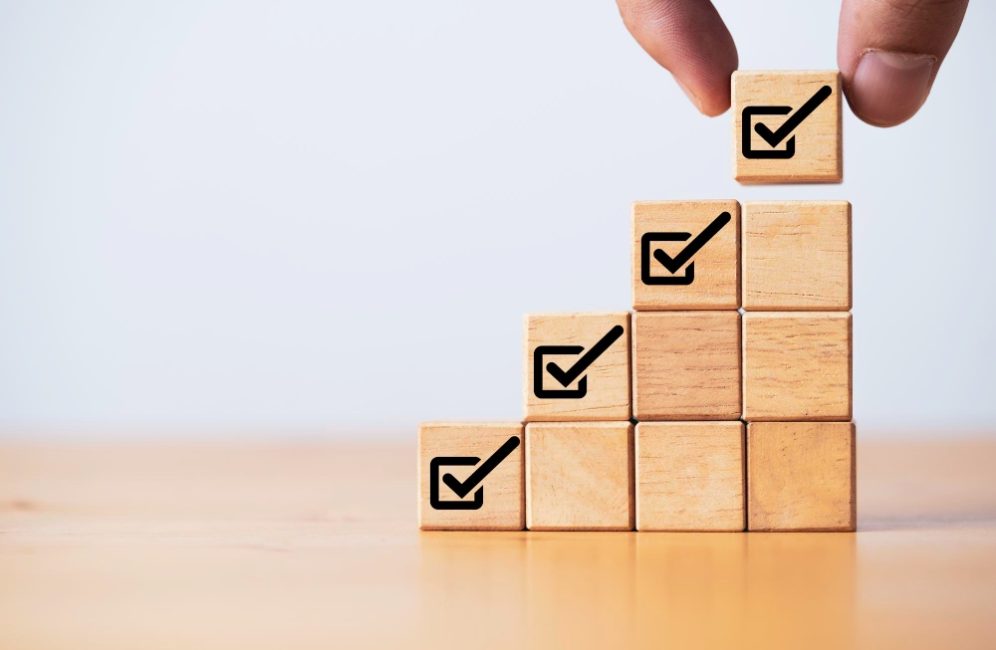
{"points": [[658, 476]]}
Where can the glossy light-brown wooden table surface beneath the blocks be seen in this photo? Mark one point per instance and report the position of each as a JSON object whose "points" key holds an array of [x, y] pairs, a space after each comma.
{"points": [[256, 545]]}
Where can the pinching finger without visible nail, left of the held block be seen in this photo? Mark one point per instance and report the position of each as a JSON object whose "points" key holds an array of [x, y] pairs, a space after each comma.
{"points": [[690, 39]]}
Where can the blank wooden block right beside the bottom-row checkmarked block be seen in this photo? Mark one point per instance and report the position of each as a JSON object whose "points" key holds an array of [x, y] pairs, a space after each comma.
{"points": [[579, 476]]}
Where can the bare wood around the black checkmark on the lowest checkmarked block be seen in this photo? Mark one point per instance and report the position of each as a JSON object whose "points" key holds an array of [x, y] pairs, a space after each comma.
{"points": [[503, 489]]}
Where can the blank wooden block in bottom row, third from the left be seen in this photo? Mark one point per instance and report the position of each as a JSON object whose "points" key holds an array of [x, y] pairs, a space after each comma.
{"points": [[690, 476]]}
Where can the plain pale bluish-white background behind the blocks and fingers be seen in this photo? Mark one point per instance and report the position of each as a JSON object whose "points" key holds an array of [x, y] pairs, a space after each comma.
{"points": [[293, 218]]}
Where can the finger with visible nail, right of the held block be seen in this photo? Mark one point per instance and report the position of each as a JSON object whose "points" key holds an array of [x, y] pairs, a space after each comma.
{"points": [[889, 51]]}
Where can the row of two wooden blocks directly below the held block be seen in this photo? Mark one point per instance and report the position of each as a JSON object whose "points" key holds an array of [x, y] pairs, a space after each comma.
{"points": [[775, 256]]}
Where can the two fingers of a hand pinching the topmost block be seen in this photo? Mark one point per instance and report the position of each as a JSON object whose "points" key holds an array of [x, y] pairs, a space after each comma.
{"points": [[888, 51]]}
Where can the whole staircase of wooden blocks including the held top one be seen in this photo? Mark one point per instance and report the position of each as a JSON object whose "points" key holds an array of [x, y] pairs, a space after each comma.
{"points": [[723, 402]]}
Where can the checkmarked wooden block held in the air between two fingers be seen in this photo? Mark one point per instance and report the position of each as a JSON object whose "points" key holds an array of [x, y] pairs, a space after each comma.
{"points": [[787, 127]]}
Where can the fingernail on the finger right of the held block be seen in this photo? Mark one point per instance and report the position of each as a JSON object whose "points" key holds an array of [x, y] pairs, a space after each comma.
{"points": [[890, 87]]}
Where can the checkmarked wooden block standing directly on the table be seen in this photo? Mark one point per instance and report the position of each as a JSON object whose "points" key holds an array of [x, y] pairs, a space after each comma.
{"points": [[470, 476]]}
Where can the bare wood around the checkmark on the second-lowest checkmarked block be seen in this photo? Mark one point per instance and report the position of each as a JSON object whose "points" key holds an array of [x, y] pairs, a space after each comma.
{"points": [[607, 378]]}
